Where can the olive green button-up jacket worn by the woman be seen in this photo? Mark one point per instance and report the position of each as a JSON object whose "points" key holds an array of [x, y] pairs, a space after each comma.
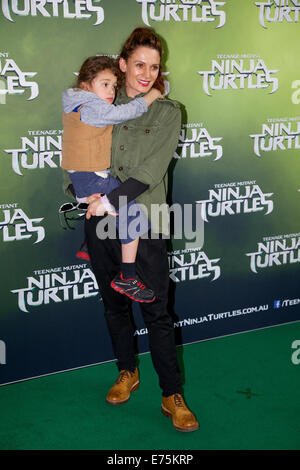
{"points": [[143, 149]]}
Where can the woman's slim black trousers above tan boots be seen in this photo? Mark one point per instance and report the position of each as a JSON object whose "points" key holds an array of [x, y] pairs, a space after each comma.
{"points": [[152, 267]]}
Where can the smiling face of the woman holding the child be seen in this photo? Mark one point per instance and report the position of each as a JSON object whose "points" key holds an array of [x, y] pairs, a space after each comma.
{"points": [[141, 70]]}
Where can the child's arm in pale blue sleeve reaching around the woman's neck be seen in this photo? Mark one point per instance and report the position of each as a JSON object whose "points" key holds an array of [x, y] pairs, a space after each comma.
{"points": [[100, 114]]}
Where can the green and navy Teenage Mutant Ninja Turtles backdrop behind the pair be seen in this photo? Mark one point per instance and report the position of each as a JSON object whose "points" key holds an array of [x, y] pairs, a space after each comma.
{"points": [[234, 68]]}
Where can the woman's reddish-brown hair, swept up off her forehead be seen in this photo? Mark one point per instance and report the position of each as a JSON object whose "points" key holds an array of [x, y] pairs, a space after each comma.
{"points": [[144, 37]]}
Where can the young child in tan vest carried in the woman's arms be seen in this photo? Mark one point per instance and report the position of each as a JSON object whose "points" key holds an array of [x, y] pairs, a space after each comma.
{"points": [[88, 120]]}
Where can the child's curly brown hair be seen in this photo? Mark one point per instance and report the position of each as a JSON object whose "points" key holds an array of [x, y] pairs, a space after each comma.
{"points": [[95, 64]]}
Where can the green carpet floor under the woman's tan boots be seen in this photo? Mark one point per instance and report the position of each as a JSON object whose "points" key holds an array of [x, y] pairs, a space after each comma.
{"points": [[244, 390]]}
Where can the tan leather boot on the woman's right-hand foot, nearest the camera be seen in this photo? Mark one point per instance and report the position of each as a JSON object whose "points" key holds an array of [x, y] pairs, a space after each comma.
{"points": [[183, 419]]}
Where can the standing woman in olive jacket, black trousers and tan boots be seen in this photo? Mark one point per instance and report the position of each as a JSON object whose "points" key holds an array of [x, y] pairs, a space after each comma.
{"points": [[141, 152]]}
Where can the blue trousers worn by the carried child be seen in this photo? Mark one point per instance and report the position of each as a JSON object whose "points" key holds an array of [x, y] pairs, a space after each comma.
{"points": [[87, 183]]}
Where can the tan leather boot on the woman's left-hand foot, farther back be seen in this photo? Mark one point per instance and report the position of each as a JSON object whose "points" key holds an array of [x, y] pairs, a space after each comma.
{"points": [[126, 383]]}
